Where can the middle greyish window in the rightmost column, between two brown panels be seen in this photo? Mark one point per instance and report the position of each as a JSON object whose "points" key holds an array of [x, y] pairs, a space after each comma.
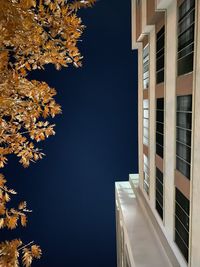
{"points": [[183, 134]]}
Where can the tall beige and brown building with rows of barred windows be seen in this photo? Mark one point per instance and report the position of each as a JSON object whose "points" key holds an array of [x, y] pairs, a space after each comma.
{"points": [[158, 210]]}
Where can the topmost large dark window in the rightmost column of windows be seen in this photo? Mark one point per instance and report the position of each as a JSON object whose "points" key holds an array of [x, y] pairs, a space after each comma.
{"points": [[186, 36]]}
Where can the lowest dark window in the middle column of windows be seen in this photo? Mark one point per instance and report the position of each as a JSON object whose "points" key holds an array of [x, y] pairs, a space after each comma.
{"points": [[159, 192]]}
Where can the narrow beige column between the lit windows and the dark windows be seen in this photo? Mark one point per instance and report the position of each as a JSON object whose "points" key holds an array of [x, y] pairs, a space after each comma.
{"points": [[152, 52]]}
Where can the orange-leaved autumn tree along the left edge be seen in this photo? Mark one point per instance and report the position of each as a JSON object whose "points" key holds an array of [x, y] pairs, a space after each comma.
{"points": [[33, 33]]}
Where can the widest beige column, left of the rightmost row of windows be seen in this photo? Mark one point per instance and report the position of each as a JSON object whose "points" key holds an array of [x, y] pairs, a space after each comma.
{"points": [[170, 111]]}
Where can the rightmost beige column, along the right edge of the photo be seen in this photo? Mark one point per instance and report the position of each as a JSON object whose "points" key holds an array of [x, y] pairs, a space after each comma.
{"points": [[195, 183]]}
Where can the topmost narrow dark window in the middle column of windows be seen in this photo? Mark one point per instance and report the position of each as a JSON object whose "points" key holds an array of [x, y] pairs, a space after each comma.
{"points": [[160, 55]]}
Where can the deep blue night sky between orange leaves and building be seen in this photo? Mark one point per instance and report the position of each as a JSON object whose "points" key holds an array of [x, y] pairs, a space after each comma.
{"points": [[71, 191]]}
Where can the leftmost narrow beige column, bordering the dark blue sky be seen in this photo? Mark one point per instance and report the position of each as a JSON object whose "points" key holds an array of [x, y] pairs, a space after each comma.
{"points": [[140, 115]]}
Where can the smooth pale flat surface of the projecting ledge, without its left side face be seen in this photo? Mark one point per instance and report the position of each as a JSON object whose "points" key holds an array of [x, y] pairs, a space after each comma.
{"points": [[143, 245]]}
